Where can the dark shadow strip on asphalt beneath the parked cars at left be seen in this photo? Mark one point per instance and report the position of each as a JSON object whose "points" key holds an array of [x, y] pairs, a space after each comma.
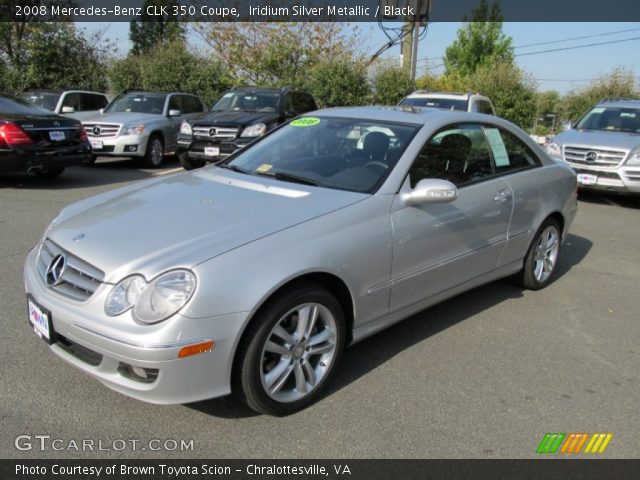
{"points": [[103, 172]]}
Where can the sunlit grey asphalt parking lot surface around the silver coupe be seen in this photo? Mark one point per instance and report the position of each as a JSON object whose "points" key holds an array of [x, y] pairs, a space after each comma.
{"points": [[483, 375]]}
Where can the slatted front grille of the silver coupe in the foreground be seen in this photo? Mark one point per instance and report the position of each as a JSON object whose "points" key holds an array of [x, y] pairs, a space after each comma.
{"points": [[78, 279]]}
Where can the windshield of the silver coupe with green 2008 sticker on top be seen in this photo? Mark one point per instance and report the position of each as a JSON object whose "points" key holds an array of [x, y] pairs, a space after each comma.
{"points": [[341, 153]]}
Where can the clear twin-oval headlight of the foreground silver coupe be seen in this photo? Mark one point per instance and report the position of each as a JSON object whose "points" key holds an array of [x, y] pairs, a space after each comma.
{"points": [[154, 301]]}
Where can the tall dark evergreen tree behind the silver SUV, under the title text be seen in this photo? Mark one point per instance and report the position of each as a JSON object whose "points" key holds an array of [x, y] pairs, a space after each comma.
{"points": [[151, 30]]}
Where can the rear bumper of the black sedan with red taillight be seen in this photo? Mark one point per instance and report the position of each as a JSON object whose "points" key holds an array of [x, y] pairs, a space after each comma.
{"points": [[21, 160]]}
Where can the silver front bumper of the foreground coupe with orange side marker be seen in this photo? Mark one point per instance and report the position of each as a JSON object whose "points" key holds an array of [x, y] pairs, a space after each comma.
{"points": [[106, 347]]}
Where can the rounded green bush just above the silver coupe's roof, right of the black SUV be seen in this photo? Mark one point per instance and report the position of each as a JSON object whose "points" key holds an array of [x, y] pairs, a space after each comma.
{"points": [[339, 82]]}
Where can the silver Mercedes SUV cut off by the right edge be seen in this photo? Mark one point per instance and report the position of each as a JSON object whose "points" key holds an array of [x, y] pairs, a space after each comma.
{"points": [[603, 147]]}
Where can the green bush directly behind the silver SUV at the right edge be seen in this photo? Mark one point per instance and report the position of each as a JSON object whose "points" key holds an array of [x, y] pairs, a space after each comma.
{"points": [[619, 83]]}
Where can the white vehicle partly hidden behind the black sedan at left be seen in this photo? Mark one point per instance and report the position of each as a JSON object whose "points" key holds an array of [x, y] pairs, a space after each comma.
{"points": [[78, 104]]}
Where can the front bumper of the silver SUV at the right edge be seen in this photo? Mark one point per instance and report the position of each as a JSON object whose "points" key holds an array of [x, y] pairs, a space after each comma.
{"points": [[625, 180]]}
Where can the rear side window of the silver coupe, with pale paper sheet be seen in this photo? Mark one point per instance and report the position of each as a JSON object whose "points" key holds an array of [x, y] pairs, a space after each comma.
{"points": [[509, 152]]}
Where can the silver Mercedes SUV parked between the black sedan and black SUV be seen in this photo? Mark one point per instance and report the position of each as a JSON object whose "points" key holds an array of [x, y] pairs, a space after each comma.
{"points": [[141, 125]]}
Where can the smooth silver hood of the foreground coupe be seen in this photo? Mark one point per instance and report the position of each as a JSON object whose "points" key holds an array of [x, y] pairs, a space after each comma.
{"points": [[185, 219]]}
